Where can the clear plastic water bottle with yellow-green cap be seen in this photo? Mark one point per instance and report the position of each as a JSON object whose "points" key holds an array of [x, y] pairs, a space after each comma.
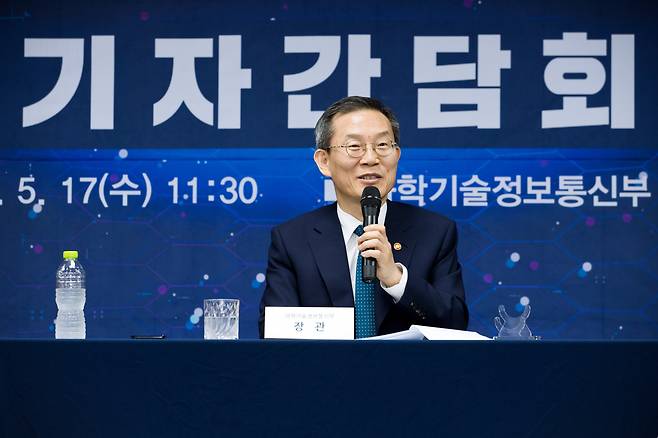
{"points": [[70, 298]]}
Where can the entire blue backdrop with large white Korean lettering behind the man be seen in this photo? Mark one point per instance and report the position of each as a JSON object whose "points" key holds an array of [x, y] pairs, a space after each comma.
{"points": [[164, 139]]}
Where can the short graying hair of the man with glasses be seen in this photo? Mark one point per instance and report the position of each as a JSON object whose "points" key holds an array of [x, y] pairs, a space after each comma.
{"points": [[324, 129]]}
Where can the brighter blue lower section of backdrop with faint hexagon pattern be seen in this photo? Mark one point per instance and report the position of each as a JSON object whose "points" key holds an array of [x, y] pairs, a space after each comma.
{"points": [[587, 272]]}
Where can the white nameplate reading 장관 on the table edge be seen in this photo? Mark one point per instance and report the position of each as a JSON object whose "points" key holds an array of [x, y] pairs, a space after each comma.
{"points": [[309, 323]]}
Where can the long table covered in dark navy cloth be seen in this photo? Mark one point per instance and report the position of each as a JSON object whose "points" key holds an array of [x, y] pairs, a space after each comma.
{"points": [[129, 388]]}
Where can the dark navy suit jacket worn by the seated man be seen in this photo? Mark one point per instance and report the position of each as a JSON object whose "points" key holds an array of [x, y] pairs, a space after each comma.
{"points": [[307, 266]]}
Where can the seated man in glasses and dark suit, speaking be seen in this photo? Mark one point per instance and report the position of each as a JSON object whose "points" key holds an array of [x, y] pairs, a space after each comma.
{"points": [[314, 258]]}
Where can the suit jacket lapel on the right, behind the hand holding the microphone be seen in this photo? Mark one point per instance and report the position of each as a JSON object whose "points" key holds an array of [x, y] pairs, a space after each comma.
{"points": [[398, 231]]}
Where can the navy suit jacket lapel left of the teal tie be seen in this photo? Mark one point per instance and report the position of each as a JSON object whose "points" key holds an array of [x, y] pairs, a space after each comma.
{"points": [[325, 239]]}
